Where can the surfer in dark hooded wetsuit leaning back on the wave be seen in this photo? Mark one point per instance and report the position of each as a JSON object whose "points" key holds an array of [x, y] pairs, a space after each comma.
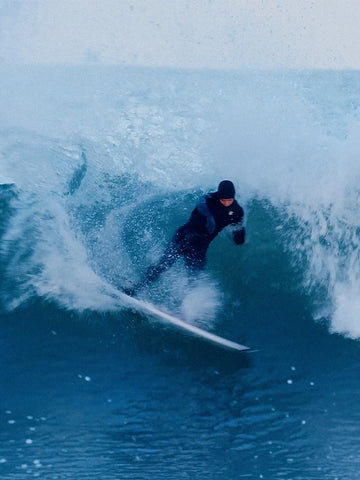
{"points": [[213, 212]]}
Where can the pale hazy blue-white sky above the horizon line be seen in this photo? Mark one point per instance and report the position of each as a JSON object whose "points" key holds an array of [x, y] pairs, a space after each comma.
{"points": [[218, 34]]}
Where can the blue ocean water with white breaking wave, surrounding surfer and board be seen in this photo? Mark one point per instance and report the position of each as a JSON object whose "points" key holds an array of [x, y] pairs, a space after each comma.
{"points": [[98, 167]]}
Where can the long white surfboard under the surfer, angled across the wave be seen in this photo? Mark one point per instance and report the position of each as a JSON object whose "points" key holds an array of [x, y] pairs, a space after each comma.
{"points": [[169, 319]]}
